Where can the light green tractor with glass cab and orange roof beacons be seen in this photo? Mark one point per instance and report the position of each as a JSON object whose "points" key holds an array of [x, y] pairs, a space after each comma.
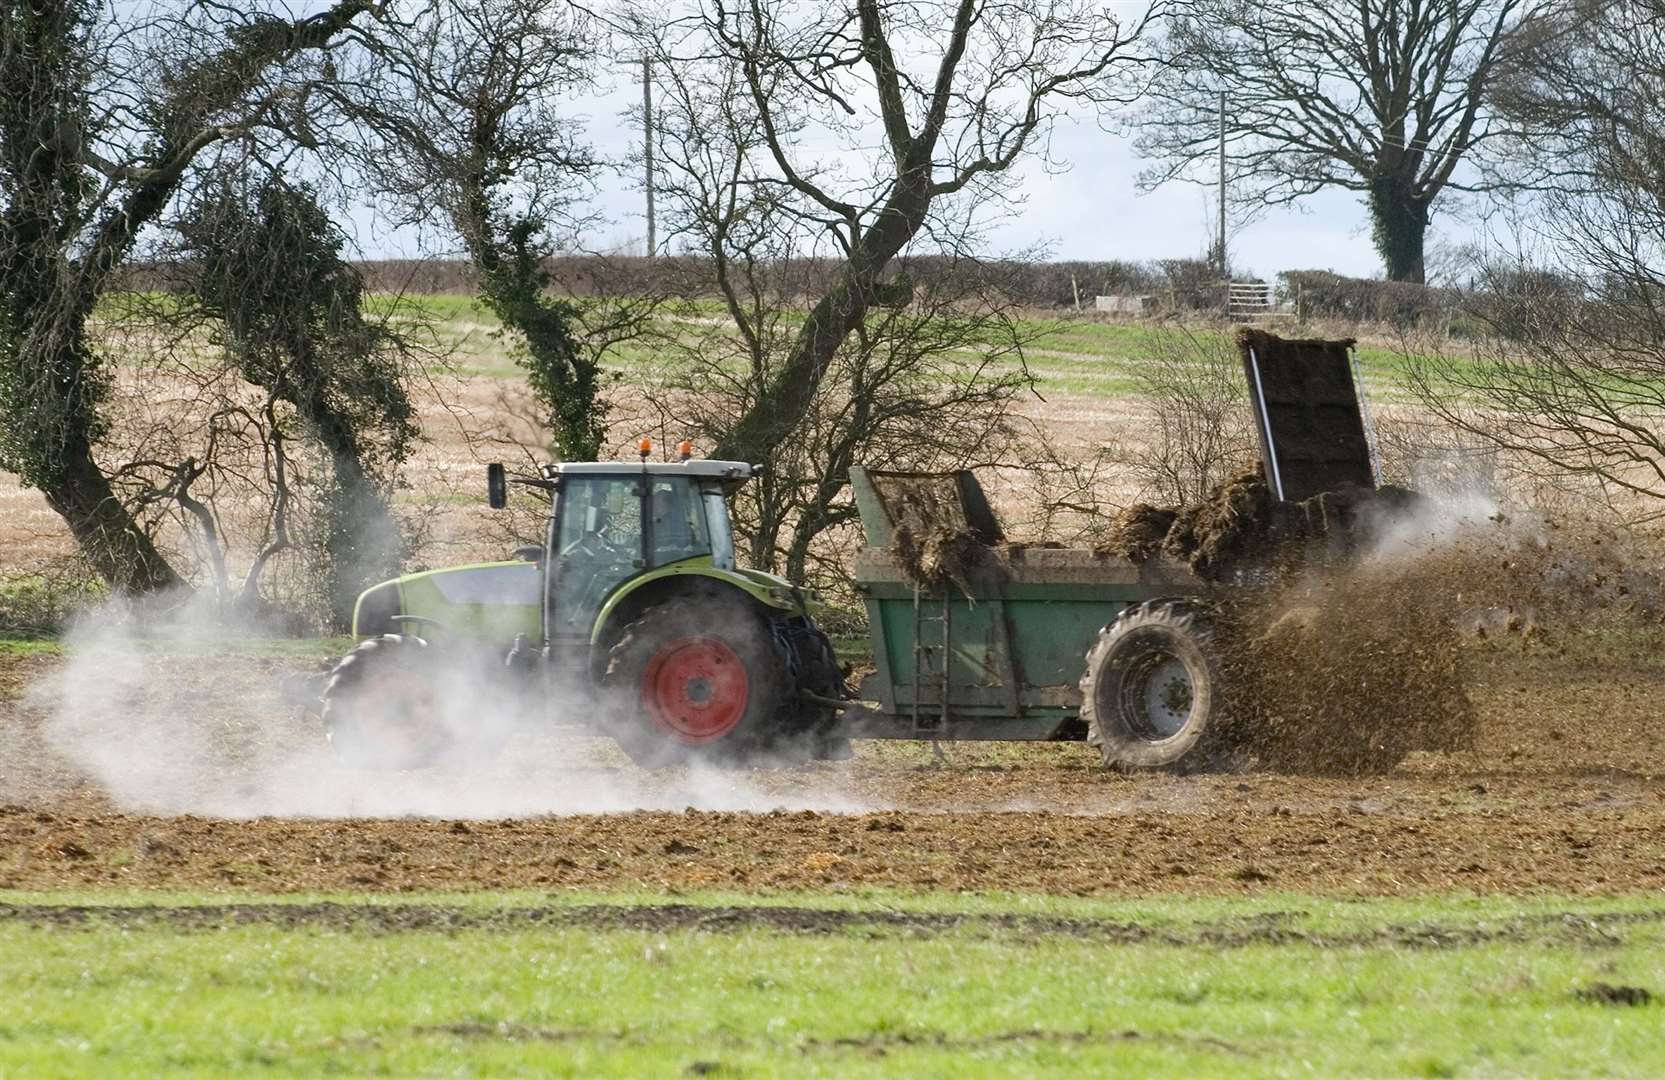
{"points": [[632, 618]]}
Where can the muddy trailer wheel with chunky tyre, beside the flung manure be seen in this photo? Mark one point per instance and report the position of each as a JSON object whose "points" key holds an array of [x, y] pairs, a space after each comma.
{"points": [[1153, 690]]}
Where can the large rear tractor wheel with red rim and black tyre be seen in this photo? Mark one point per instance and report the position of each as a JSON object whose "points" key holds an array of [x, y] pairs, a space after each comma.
{"points": [[697, 680]]}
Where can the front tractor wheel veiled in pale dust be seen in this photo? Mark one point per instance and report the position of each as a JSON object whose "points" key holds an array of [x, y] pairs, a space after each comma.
{"points": [[395, 703]]}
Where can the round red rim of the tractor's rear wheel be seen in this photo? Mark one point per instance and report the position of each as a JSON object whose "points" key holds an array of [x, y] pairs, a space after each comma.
{"points": [[697, 690]]}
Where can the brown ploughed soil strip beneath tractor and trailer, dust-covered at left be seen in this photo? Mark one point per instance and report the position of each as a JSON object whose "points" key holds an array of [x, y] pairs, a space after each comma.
{"points": [[201, 778]]}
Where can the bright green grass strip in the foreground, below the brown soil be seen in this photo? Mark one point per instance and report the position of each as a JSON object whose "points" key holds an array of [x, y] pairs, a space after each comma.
{"points": [[875, 984]]}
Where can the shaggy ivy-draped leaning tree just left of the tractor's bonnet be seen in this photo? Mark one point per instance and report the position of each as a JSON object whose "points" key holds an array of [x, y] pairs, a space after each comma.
{"points": [[264, 264]]}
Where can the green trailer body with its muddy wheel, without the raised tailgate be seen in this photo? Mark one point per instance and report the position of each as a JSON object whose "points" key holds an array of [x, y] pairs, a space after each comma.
{"points": [[1003, 648]]}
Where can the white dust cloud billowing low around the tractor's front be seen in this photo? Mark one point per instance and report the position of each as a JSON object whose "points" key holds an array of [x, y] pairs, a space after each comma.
{"points": [[164, 708]]}
